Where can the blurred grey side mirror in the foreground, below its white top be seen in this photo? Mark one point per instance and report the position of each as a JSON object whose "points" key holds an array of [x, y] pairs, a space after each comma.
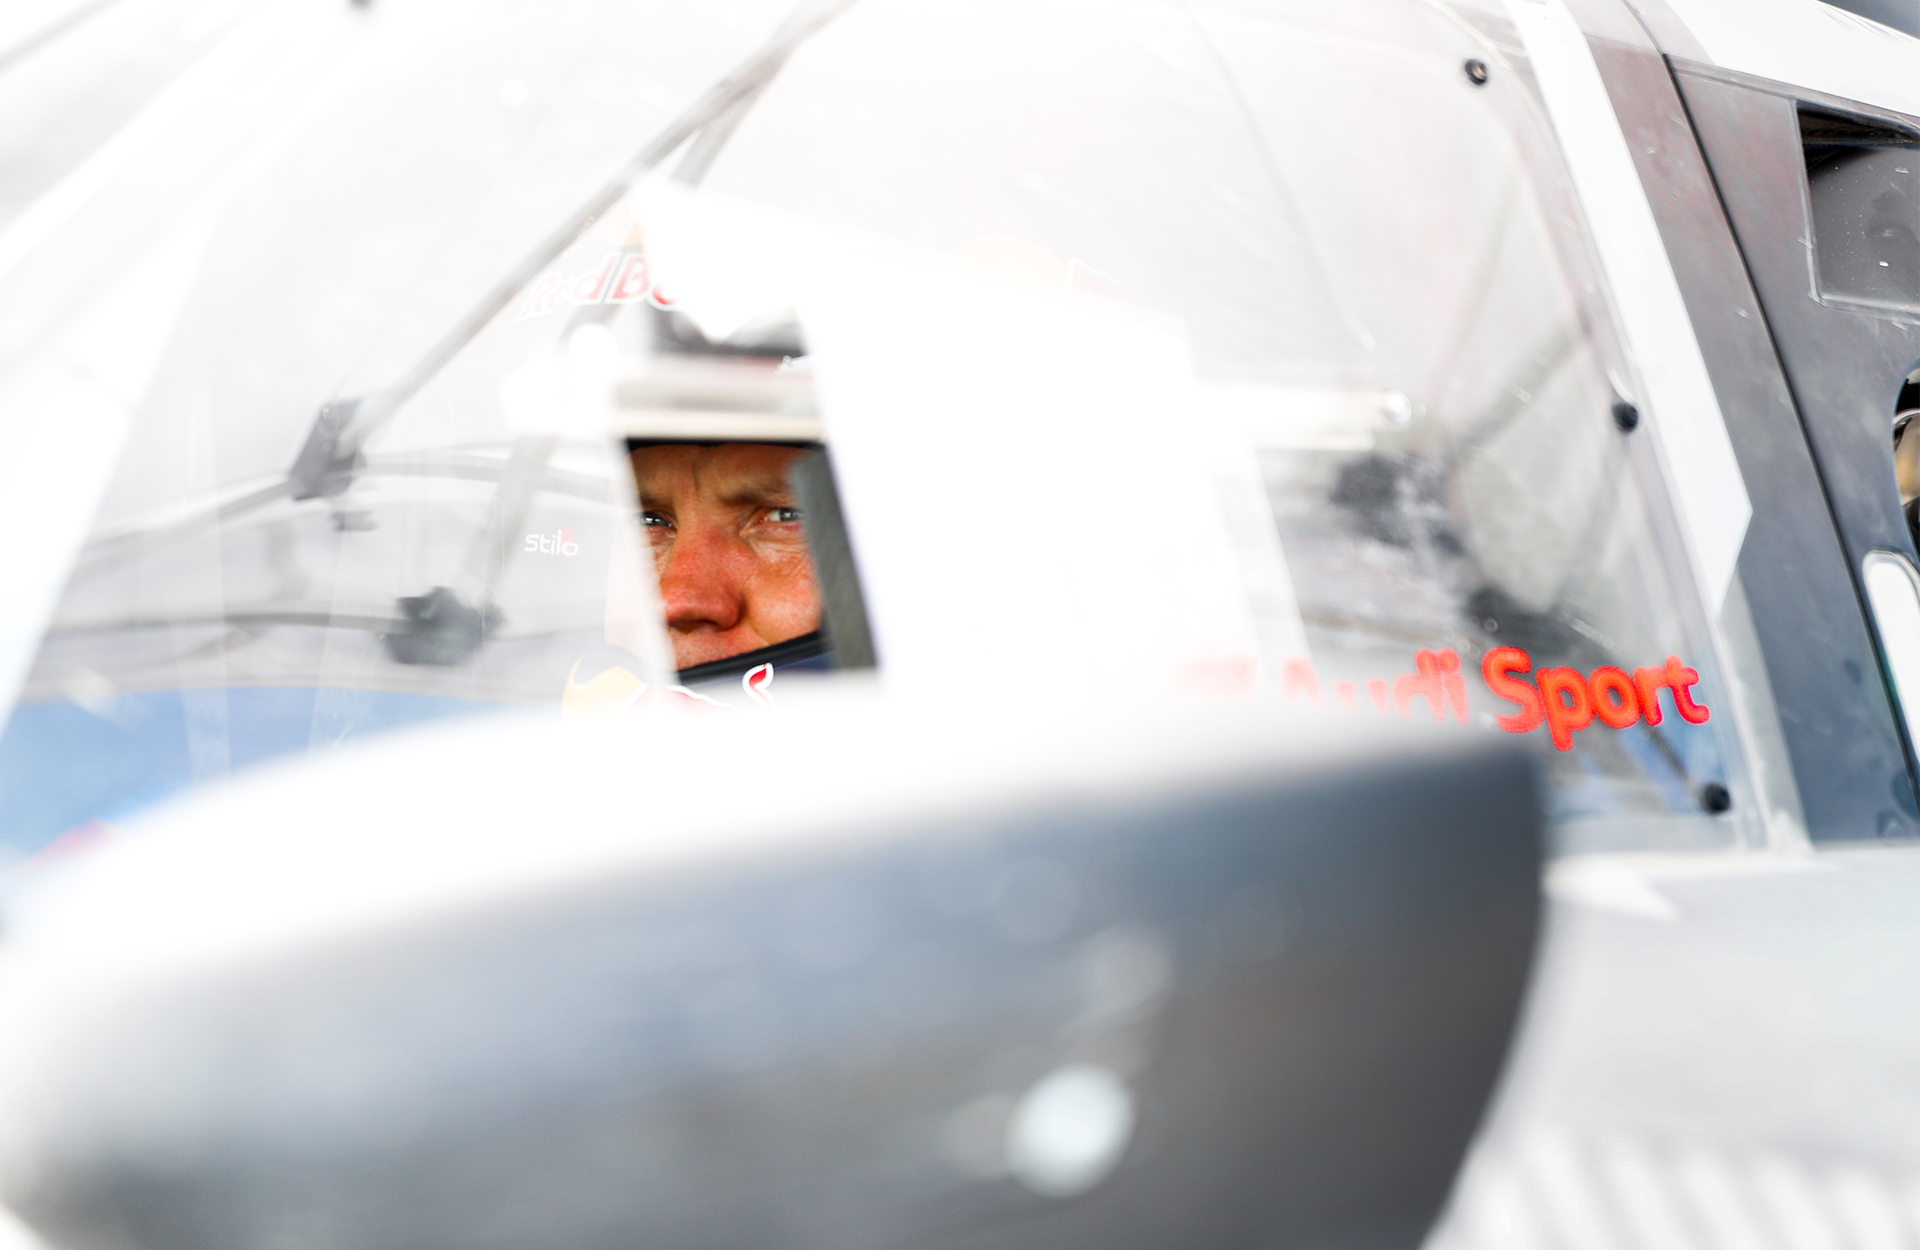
{"points": [[1249, 1011]]}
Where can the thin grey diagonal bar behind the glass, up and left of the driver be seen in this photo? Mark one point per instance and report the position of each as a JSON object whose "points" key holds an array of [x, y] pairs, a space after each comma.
{"points": [[331, 454]]}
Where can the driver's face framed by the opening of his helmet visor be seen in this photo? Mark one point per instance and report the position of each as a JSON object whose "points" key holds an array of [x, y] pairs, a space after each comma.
{"points": [[729, 548]]}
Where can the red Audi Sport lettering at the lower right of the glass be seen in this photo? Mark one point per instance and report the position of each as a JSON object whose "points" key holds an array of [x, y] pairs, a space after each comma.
{"points": [[1562, 698]]}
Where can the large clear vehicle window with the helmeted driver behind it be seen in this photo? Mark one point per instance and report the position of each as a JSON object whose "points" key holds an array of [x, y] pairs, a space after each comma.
{"points": [[1128, 356]]}
